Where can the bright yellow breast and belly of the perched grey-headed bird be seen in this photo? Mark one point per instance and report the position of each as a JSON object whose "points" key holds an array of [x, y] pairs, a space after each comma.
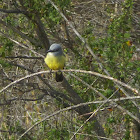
{"points": [[55, 62]]}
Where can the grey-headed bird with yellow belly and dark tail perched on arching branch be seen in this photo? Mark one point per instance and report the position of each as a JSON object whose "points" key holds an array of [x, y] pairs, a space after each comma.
{"points": [[55, 60]]}
